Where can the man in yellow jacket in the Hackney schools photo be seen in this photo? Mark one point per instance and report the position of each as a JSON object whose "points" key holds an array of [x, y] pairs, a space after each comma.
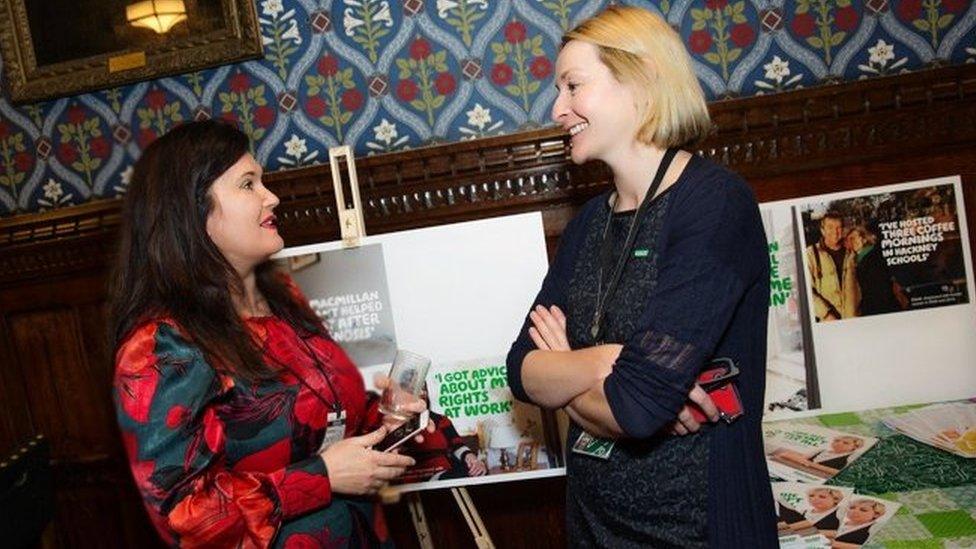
{"points": [[832, 272]]}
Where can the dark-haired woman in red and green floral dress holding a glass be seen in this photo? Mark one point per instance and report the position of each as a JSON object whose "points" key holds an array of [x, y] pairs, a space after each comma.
{"points": [[245, 424]]}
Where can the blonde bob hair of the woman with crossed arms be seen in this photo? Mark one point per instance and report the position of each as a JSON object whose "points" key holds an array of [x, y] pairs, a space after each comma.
{"points": [[641, 50]]}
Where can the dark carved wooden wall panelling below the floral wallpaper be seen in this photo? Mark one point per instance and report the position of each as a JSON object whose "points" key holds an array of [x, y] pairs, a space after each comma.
{"points": [[55, 369]]}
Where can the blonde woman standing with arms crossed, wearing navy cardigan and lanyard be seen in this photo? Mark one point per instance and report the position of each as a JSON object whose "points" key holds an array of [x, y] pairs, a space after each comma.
{"points": [[653, 279]]}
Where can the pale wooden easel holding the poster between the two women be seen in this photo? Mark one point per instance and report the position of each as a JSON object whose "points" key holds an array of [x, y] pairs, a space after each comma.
{"points": [[352, 228]]}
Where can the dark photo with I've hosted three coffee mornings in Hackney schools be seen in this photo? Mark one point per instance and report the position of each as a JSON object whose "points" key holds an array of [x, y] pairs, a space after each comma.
{"points": [[882, 253]]}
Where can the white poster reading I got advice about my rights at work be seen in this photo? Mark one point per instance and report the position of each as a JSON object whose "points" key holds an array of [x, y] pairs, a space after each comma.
{"points": [[457, 294]]}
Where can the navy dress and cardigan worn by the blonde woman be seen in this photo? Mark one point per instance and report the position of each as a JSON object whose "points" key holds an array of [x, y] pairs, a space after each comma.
{"points": [[696, 287]]}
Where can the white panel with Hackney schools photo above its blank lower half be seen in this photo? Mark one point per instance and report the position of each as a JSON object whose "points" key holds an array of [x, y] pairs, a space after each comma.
{"points": [[889, 282]]}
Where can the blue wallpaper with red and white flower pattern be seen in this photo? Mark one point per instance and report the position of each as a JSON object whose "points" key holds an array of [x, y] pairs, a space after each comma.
{"points": [[386, 75]]}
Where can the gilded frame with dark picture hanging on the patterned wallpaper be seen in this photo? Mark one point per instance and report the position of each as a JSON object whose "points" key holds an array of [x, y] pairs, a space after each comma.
{"points": [[57, 48]]}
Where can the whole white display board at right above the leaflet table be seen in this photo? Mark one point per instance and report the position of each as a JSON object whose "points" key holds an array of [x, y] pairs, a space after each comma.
{"points": [[881, 314]]}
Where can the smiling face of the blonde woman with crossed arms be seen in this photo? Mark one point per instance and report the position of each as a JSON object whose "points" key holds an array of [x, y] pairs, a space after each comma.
{"points": [[599, 112]]}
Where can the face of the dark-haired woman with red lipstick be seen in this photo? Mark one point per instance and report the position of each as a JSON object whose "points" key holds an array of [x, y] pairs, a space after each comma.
{"points": [[241, 223]]}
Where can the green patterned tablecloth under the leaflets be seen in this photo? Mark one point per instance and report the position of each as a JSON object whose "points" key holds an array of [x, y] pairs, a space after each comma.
{"points": [[937, 490]]}
